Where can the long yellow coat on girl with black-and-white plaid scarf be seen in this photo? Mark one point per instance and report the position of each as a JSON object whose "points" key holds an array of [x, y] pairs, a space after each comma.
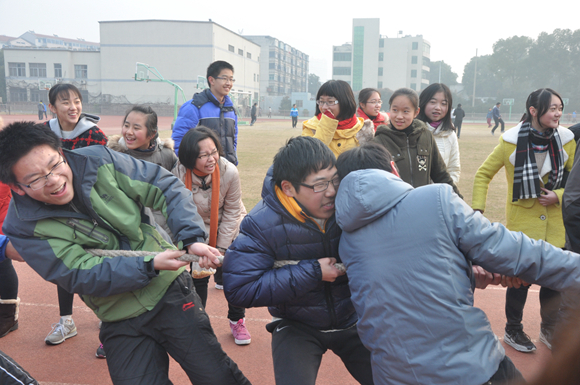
{"points": [[525, 215]]}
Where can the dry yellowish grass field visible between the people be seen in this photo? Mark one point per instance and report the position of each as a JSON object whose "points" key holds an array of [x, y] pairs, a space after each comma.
{"points": [[258, 144]]}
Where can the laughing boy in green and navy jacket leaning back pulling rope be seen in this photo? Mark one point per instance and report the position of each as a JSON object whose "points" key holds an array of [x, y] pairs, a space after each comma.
{"points": [[65, 202]]}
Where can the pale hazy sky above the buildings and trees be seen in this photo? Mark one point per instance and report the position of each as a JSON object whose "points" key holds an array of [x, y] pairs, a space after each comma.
{"points": [[455, 29]]}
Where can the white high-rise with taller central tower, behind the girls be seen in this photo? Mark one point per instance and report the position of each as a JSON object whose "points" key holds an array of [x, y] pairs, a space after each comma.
{"points": [[372, 60]]}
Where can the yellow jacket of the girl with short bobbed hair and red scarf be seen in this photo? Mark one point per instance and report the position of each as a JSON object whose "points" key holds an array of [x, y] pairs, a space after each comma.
{"points": [[325, 129]]}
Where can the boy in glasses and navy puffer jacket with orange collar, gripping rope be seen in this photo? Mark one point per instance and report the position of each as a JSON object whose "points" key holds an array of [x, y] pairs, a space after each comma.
{"points": [[309, 301]]}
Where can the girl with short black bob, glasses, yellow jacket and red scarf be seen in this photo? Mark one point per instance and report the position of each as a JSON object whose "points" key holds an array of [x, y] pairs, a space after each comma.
{"points": [[336, 123]]}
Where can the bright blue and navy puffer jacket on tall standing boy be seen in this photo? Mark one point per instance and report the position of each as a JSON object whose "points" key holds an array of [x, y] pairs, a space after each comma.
{"points": [[205, 110]]}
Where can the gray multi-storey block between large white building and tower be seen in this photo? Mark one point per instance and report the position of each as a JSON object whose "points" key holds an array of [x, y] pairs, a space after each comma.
{"points": [[284, 69]]}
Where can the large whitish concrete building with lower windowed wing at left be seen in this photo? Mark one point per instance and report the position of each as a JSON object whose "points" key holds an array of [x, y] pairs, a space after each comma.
{"points": [[105, 71]]}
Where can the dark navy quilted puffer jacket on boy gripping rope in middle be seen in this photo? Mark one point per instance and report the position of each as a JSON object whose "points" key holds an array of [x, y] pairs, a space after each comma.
{"points": [[294, 292]]}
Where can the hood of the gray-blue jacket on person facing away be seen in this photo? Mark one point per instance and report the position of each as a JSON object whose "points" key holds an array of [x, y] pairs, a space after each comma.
{"points": [[366, 195]]}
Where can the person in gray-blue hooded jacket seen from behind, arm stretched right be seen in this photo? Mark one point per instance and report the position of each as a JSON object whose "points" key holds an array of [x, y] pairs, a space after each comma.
{"points": [[408, 253]]}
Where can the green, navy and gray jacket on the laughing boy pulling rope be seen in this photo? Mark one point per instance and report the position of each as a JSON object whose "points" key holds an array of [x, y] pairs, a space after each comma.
{"points": [[113, 189]]}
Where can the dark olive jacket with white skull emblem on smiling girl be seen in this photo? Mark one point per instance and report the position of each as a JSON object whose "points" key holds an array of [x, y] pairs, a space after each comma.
{"points": [[416, 156]]}
